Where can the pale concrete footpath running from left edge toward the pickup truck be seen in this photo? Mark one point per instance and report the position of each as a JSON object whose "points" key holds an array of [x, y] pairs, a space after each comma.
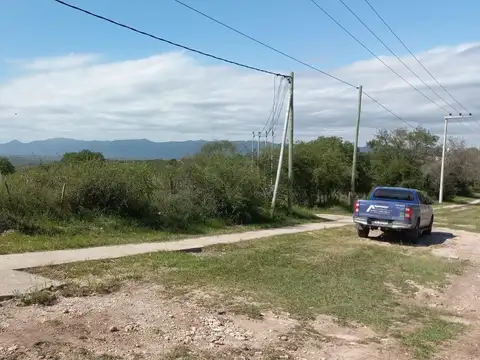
{"points": [[13, 282]]}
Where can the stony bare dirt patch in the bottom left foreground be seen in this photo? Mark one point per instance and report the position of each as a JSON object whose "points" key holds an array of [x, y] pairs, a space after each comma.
{"points": [[142, 323]]}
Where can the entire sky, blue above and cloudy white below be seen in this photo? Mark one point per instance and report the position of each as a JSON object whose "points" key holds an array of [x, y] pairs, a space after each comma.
{"points": [[65, 74]]}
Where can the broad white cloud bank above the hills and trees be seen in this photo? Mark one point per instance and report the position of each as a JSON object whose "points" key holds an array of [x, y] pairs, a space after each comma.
{"points": [[174, 96]]}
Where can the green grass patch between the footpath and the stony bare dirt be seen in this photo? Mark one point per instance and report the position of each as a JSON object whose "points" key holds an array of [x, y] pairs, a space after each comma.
{"points": [[328, 272]]}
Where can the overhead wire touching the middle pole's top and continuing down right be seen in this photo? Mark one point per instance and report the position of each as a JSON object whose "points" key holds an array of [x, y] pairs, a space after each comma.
{"points": [[288, 56]]}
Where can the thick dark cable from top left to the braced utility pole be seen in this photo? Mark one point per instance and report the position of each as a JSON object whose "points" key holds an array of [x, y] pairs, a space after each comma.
{"points": [[168, 41]]}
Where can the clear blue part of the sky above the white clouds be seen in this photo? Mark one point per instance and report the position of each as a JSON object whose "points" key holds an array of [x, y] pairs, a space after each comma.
{"points": [[31, 28]]}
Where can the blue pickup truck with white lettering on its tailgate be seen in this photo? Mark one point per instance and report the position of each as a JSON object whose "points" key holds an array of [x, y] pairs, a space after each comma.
{"points": [[394, 209]]}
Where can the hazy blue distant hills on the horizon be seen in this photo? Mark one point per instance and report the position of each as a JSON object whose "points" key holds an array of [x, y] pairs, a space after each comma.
{"points": [[142, 149]]}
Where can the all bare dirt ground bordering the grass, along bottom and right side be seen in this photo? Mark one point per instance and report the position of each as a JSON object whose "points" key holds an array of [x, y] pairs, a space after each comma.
{"points": [[139, 322]]}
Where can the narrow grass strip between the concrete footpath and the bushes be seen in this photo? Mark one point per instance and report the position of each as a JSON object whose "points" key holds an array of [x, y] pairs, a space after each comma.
{"points": [[111, 231]]}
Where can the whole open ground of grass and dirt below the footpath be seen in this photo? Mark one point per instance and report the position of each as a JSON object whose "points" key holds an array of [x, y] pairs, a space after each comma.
{"points": [[324, 294]]}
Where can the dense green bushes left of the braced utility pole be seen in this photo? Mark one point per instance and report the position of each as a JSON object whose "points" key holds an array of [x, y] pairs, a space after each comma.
{"points": [[172, 195]]}
